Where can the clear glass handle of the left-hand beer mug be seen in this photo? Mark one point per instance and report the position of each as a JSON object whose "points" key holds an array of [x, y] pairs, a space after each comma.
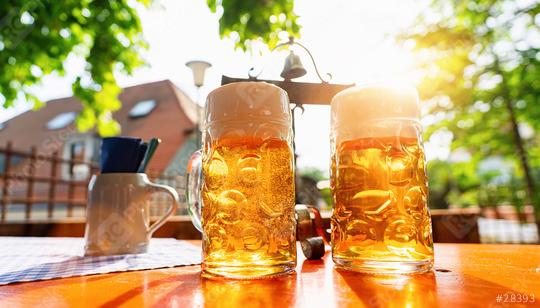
{"points": [[193, 188]]}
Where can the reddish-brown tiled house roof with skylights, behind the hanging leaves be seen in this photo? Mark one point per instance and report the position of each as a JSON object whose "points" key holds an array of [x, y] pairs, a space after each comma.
{"points": [[173, 115]]}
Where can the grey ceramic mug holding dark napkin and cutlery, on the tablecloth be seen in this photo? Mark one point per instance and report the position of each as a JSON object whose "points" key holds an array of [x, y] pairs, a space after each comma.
{"points": [[118, 213]]}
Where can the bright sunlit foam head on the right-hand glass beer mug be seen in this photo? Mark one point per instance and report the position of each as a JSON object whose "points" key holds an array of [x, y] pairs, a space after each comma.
{"points": [[353, 111]]}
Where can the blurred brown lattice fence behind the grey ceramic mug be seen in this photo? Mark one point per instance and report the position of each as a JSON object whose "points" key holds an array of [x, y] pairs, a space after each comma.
{"points": [[34, 188]]}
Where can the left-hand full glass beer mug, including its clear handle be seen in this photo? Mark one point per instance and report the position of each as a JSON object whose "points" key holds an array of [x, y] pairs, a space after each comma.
{"points": [[240, 186]]}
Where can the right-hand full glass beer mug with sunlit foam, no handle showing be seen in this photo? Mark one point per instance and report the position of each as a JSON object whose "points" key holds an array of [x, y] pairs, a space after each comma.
{"points": [[380, 221]]}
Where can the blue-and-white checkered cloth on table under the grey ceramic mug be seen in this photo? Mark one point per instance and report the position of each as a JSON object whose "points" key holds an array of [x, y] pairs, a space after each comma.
{"points": [[39, 258]]}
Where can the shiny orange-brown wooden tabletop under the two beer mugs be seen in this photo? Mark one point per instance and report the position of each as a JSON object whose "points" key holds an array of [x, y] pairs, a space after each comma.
{"points": [[465, 275]]}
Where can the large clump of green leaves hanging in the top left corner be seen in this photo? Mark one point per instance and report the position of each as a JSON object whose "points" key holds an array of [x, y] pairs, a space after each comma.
{"points": [[37, 36]]}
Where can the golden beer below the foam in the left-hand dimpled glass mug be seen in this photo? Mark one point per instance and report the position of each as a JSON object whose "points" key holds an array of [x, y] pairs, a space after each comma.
{"points": [[248, 212]]}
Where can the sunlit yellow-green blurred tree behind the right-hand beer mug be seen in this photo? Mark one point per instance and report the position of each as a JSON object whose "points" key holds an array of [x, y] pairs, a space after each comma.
{"points": [[480, 59]]}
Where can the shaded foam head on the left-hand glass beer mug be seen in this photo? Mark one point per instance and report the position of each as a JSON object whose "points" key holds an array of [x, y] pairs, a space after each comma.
{"points": [[259, 101]]}
